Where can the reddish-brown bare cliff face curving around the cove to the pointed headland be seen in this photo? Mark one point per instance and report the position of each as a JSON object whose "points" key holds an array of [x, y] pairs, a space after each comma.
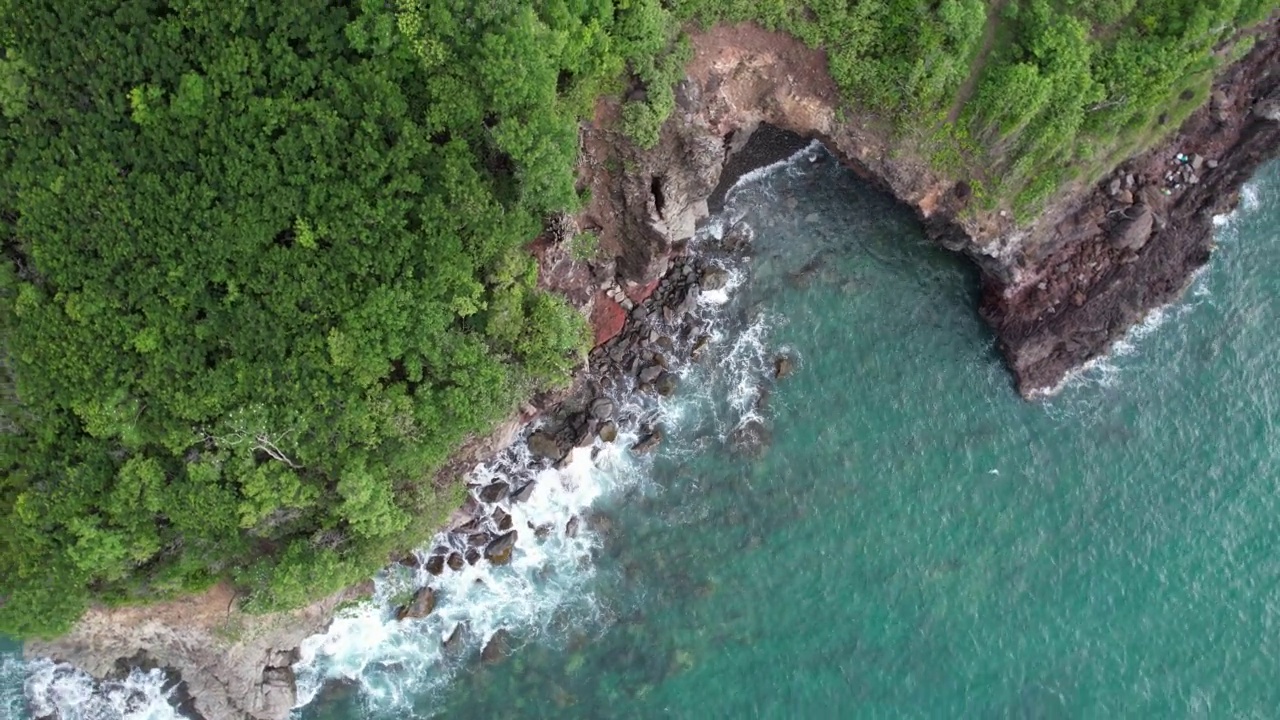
{"points": [[1058, 294]]}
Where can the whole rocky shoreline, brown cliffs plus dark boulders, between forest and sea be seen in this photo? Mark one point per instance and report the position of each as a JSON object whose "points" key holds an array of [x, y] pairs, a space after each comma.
{"points": [[1058, 295]]}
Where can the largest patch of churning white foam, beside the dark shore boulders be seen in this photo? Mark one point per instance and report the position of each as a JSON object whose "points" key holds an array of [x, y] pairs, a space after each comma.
{"points": [[397, 662]]}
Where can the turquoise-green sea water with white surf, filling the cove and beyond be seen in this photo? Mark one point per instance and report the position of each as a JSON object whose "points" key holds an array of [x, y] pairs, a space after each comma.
{"points": [[915, 541]]}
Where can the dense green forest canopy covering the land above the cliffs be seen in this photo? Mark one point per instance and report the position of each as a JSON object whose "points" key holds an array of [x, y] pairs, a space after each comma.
{"points": [[264, 263]]}
